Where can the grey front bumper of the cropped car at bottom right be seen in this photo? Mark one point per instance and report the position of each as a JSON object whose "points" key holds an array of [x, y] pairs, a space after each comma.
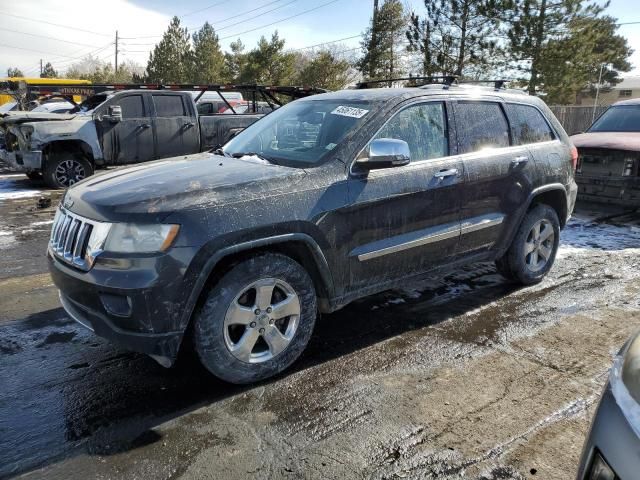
{"points": [[614, 438]]}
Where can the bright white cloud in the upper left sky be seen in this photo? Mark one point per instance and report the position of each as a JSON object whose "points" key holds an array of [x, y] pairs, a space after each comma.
{"points": [[93, 23]]}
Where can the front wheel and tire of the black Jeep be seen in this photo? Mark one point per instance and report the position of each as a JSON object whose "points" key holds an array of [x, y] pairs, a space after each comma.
{"points": [[239, 333]]}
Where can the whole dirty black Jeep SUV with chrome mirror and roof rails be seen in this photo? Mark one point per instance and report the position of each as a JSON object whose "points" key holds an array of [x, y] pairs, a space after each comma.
{"points": [[323, 201]]}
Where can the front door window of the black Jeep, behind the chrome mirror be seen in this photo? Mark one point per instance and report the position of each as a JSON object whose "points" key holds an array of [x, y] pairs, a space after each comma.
{"points": [[423, 127]]}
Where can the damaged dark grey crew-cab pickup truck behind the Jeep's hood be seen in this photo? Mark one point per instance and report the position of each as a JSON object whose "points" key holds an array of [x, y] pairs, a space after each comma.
{"points": [[115, 128]]}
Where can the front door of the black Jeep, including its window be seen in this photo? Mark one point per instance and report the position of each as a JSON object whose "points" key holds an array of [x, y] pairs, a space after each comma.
{"points": [[405, 220]]}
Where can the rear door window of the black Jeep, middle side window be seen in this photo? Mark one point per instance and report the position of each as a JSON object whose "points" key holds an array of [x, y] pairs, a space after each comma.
{"points": [[481, 125]]}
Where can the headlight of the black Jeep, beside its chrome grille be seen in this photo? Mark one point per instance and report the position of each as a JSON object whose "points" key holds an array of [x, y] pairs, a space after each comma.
{"points": [[133, 238]]}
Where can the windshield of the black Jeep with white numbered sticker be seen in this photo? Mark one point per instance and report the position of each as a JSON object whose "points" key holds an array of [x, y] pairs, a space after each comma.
{"points": [[300, 134]]}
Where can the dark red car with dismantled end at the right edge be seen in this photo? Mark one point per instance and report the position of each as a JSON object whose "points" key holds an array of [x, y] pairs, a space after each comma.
{"points": [[609, 156]]}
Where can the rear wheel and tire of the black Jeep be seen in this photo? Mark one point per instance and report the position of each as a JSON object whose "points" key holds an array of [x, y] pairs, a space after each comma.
{"points": [[534, 247]]}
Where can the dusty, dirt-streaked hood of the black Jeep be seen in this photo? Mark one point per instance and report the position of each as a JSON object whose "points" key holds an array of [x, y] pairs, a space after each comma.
{"points": [[154, 190]]}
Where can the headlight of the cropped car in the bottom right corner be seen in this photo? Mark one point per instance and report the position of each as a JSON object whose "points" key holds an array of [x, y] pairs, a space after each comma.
{"points": [[625, 382]]}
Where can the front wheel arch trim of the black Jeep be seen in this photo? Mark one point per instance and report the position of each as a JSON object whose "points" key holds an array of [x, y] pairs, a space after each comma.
{"points": [[298, 246]]}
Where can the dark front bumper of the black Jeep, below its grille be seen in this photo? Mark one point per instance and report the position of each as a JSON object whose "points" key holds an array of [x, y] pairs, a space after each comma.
{"points": [[136, 303]]}
